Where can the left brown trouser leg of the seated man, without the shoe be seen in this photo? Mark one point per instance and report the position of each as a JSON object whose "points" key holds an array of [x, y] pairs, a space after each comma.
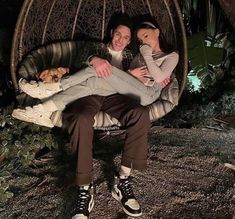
{"points": [[78, 118]]}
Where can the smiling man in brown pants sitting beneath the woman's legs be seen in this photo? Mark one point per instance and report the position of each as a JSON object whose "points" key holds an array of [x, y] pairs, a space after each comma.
{"points": [[78, 118]]}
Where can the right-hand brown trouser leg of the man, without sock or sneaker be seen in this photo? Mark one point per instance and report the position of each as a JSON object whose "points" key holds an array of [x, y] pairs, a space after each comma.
{"points": [[137, 122]]}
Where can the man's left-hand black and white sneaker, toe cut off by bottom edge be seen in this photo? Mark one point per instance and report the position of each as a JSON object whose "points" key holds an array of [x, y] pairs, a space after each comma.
{"points": [[85, 202]]}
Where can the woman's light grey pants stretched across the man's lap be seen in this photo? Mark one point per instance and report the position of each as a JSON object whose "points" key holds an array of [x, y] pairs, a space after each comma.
{"points": [[85, 83]]}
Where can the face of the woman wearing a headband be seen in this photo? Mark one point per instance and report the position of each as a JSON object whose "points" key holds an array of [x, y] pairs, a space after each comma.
{"points": [[150, 37]]}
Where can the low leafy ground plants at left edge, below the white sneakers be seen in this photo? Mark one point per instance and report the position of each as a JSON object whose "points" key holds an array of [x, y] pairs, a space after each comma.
{"points": [[19, 141]]}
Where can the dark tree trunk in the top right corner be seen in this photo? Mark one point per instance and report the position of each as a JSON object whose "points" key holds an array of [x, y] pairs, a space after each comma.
{"points": [[228, 7]]}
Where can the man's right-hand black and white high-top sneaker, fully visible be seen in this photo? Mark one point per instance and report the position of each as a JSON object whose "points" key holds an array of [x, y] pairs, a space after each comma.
{"points": [[123, 193]]}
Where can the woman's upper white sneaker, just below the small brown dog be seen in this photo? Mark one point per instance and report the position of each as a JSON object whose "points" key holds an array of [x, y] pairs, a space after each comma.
{"points": [[39, 89]]}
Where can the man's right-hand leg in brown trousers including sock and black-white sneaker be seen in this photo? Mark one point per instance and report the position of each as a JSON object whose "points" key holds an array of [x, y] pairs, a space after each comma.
{"points": [[136, 120]]}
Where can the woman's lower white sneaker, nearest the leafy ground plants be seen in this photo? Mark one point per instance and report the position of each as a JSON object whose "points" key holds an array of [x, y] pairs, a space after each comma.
{"points": [[37, 115]]}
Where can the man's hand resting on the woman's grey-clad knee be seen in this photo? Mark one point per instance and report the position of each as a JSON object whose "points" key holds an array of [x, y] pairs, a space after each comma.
{"points": [[102, 67]]}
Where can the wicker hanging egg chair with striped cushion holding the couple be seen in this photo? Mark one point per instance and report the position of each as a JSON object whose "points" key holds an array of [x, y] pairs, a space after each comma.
{"points": [[41, 22]]}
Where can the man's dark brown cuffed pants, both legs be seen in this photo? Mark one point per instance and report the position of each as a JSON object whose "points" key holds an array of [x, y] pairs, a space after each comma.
{"points": [[79, 119]]}
